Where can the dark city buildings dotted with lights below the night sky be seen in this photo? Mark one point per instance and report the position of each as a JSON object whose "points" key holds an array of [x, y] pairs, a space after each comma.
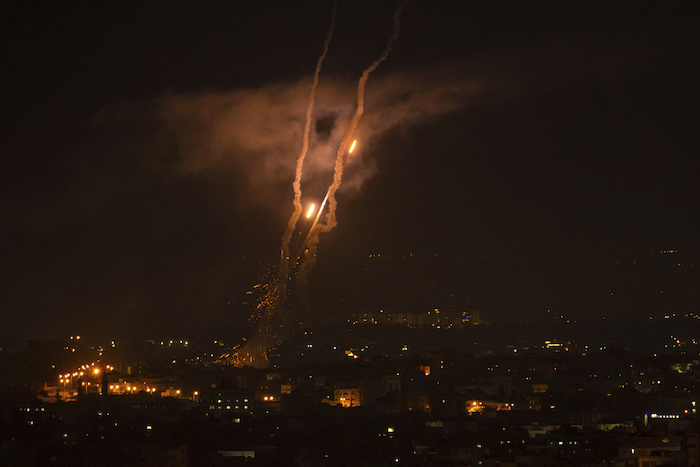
{"points": [[557, 403]]}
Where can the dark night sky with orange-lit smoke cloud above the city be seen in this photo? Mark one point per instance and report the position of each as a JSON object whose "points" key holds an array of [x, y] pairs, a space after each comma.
{"points": [[513, 157]]}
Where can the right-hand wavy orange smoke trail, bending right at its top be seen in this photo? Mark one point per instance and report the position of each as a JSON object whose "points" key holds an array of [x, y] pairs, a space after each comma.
{"points": [[313, 237]]}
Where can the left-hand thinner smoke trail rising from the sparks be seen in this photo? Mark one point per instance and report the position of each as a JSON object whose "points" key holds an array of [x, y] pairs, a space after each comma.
{"points": [[291, 224]]}
